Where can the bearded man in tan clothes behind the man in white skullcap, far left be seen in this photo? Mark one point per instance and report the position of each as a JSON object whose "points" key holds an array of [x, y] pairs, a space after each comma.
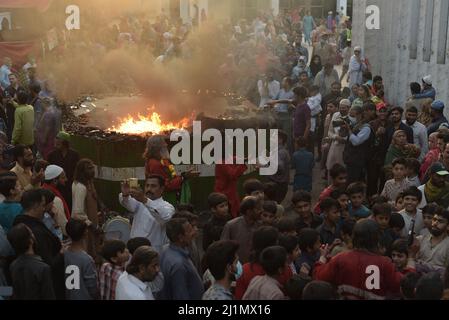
{"points": [[23, 169]]}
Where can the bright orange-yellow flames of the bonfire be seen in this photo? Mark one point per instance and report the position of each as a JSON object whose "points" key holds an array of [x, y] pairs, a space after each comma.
{"points": [[144, 125]]}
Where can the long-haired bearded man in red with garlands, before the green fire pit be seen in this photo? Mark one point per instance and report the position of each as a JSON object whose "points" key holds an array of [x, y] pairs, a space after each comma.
{"points": [[158, 163]]}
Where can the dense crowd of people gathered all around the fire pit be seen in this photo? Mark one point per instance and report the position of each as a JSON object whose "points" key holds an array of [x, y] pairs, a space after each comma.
{"points": [[379, 230]]}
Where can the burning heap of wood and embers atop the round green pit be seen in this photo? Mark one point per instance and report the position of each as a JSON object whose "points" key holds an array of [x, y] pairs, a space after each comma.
{"points": [[140, 127]]}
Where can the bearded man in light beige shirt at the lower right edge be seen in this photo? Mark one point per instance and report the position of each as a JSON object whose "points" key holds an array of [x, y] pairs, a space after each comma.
{"points": [[434, 248]]}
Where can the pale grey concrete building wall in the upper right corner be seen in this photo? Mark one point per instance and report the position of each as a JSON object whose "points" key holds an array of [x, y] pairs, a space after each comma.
{"points": [[399, 50]]}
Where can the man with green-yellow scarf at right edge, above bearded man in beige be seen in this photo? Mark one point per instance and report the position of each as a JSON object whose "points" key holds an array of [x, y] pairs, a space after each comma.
{"points": [[436, 190]]}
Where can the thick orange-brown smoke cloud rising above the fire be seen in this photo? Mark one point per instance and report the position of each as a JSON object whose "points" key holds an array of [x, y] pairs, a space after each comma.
{"points": [[91, 69]]}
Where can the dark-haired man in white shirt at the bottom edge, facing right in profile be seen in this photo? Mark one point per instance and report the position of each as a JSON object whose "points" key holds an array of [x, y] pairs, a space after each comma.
{"points": [[142, 269]]}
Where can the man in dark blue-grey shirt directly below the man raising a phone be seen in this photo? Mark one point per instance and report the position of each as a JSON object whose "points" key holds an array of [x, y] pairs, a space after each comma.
{"points": [[182, 281]]}
